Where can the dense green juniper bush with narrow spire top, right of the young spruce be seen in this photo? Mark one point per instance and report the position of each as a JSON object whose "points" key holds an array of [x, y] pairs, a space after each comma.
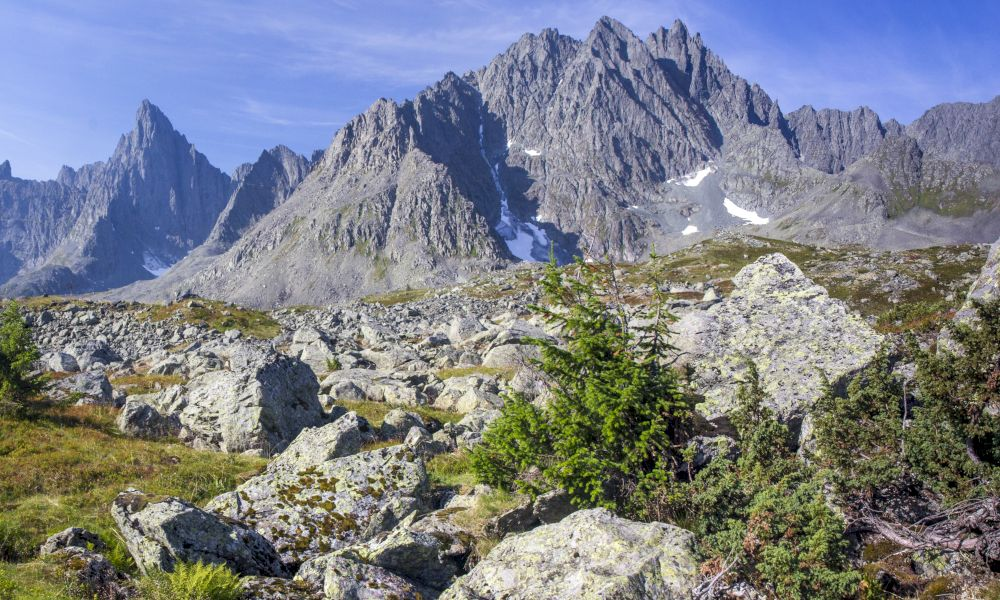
{"points": [[764, 514]]}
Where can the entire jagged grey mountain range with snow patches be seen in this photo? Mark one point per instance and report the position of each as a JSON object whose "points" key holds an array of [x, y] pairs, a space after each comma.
{"points": [[608, 146]]}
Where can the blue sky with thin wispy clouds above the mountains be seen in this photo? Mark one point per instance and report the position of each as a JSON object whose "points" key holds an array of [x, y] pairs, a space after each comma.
{"points": [[237, 77]]}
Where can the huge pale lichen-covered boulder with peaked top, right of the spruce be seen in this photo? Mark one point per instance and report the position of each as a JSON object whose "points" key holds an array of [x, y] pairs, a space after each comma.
{"points": [[788, 326]]}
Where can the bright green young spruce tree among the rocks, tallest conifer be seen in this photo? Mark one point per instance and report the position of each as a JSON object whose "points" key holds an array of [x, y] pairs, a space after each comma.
{"points": [[611, 430]]}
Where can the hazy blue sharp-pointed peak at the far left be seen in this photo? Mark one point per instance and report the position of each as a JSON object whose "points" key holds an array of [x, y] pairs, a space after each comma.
{"points": [[151, 203]]}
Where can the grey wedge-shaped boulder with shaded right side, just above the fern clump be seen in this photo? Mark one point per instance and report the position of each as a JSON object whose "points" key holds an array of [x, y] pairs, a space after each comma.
{"points": [[159, 531]]}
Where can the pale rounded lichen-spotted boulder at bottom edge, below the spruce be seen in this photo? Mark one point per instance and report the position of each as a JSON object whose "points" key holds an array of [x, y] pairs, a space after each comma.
{"points": [[589, 554]]}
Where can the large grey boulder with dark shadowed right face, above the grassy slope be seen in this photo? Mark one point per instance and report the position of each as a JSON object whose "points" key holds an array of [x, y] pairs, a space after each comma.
{"points": [[258, 405]]}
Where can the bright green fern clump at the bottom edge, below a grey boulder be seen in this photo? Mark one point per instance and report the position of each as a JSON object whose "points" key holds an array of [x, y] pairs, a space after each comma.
{"points": [[191, 581]]}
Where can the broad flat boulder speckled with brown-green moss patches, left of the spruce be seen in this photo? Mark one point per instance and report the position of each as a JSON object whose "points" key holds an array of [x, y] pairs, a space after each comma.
{"points": [[308, 511]]}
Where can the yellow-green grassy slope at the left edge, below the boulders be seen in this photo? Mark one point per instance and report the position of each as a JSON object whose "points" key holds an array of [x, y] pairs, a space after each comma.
{"points": [[61, 466]]}
